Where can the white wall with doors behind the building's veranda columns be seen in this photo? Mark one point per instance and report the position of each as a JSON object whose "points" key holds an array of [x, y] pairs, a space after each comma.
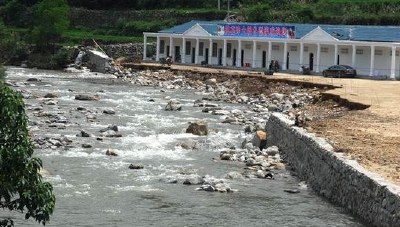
{"points": [[382, 55]]}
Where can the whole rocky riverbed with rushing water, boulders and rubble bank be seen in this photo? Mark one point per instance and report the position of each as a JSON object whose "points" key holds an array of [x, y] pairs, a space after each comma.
{"points": [[117, 152]]}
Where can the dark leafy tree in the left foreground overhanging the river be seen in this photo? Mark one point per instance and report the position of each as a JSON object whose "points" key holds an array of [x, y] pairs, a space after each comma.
{"points": [[21, 187]]}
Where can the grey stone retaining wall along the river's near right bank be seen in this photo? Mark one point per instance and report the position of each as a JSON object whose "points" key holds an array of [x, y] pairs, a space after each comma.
{"points": [[334, 176]]}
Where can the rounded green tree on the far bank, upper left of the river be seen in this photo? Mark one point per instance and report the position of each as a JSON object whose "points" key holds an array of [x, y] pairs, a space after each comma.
{"points": [[51, 21]]}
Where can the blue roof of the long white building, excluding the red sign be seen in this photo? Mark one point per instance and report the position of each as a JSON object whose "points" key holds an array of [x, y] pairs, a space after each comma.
{"points": [[341, 32]]}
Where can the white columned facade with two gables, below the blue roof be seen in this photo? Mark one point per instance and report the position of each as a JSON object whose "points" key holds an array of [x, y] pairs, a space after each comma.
{"points": [[317, 50]]}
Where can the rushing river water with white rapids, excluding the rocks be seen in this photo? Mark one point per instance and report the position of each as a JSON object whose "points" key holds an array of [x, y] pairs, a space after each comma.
{"points": [[93, 189]]}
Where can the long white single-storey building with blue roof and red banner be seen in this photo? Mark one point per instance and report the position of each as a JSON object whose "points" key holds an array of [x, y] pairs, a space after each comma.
{"points": [[368, 49]]}
